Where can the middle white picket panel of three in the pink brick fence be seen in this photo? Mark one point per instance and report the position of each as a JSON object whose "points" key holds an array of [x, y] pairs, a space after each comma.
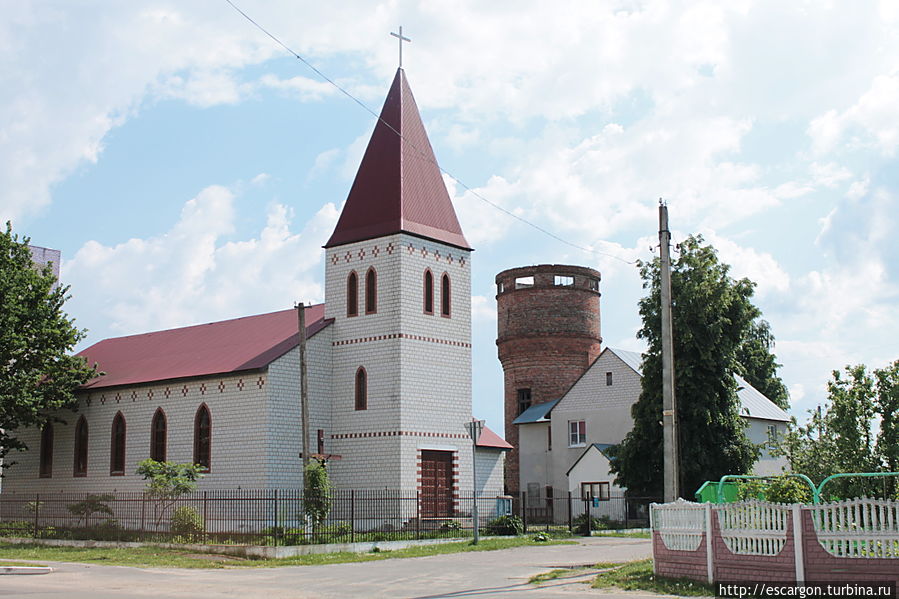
{"points": [[754, 527]]}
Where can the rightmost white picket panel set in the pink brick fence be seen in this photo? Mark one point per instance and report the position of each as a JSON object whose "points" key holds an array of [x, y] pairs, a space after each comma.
{"points": [[860, 528]]}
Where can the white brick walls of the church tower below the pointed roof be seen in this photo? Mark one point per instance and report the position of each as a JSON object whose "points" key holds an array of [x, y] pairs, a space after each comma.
{"points": [[418, 365]]}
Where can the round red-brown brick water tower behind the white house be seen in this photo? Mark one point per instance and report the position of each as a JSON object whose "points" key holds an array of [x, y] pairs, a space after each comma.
{"points": [[548, 333]]}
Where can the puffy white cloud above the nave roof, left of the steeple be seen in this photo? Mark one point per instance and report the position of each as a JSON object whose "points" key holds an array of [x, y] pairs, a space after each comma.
{"points": [[192, 274]]}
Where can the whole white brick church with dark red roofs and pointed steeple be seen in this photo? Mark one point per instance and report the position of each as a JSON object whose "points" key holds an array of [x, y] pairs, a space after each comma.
{"points": [[389, 362]]}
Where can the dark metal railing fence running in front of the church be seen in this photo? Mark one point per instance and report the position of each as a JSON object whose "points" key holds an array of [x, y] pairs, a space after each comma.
{"points": [[281, 517]]}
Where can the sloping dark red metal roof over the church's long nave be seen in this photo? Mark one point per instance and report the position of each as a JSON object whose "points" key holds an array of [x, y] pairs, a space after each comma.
{"points": [[247, 343]]}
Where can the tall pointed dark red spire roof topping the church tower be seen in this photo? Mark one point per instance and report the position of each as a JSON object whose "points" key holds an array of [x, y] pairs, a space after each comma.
{"points": [[398, 187]]}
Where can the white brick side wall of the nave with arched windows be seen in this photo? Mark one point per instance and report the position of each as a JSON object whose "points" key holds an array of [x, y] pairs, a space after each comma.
{"points": [[237, 406]]}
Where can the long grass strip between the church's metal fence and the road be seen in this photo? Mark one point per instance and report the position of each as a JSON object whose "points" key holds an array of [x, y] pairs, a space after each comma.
{"points": [[156, 557]]}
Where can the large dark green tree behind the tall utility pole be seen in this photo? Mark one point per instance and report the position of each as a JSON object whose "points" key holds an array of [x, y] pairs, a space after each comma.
{"points": [[715, 324]]}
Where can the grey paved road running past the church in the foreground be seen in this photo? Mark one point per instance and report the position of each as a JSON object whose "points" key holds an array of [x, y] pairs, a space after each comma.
{"points": [[477, 574]]}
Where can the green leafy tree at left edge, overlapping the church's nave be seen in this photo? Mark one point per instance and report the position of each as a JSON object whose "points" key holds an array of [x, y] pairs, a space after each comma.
{"points": [[38, 374]]}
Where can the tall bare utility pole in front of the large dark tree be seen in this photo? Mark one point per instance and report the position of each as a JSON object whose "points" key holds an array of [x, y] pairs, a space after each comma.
{"points": [[669, 404]]}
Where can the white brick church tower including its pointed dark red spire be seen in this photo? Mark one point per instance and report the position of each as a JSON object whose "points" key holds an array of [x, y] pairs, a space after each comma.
{"points": [[398, 287]]}
